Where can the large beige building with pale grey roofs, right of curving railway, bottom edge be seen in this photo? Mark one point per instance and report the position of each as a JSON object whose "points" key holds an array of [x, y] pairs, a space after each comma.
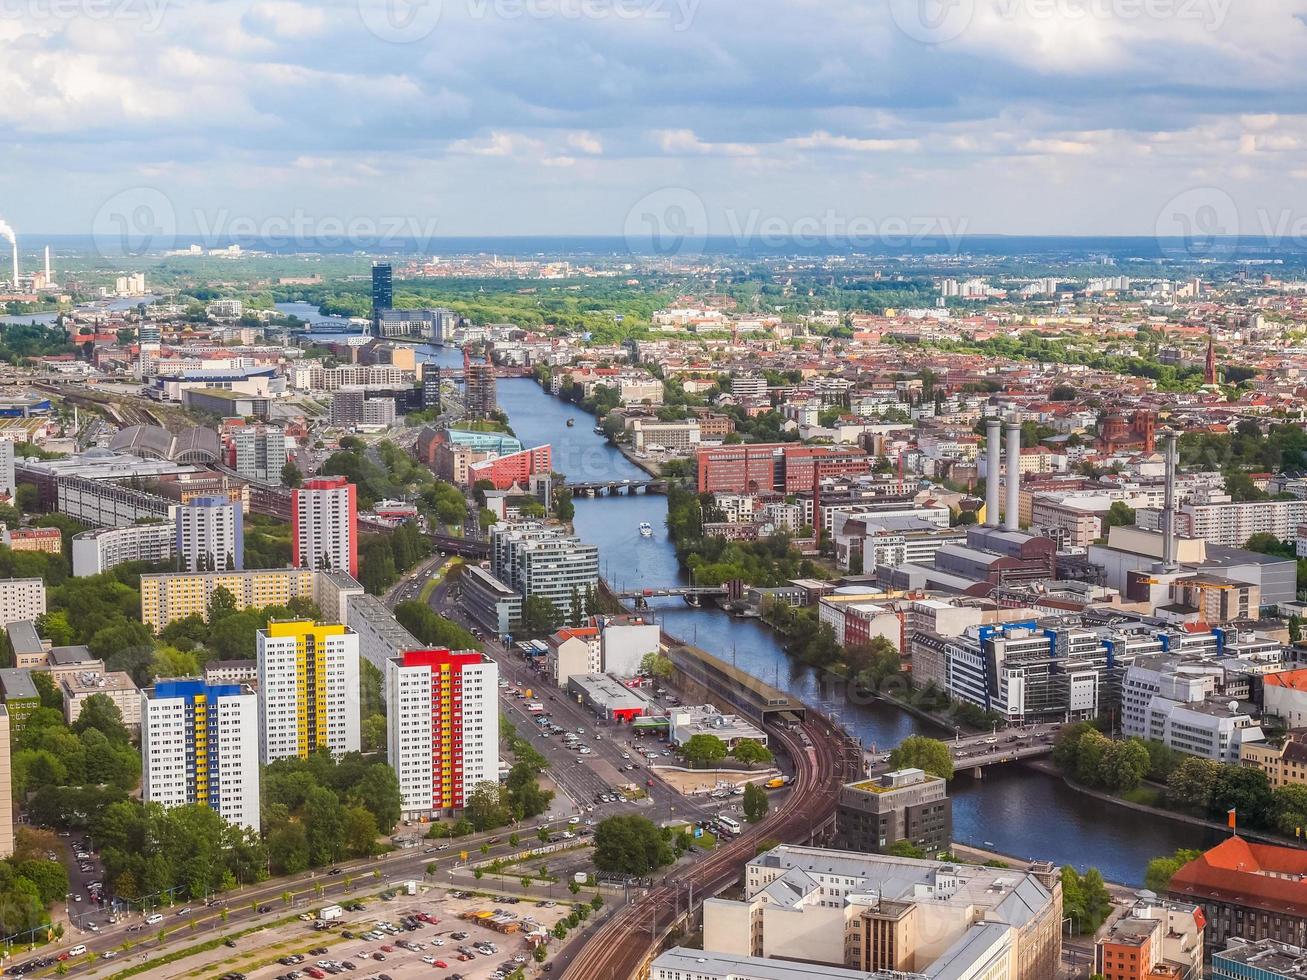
{"points": [[880, 913]]}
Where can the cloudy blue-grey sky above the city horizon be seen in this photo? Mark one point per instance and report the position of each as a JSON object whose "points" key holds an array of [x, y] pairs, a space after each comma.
{"points": [[865, 118]]}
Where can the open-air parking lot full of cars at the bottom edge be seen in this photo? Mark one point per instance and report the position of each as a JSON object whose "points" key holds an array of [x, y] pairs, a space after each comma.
{"points": [[423, 936]]}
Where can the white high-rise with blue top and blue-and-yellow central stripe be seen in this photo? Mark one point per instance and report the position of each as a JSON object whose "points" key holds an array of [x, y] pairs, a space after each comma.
{"points": [[201, 745]]}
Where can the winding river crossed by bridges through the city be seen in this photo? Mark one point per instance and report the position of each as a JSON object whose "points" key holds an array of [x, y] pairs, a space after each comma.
{"points": [[1015, 811]]}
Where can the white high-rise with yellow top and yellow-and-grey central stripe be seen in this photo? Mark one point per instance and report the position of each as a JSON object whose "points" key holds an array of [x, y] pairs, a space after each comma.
{"points": [[308, 689]]}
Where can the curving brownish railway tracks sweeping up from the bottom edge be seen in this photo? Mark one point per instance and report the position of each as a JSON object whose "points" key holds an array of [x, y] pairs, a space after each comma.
{"points": [[821, 766]]}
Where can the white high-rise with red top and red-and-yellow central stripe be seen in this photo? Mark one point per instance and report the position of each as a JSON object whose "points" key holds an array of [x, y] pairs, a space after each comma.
{"points": [[442, 727]]}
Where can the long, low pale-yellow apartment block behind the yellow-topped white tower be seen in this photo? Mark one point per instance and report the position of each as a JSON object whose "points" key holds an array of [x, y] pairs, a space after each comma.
{"points": [[176, 596]]}
